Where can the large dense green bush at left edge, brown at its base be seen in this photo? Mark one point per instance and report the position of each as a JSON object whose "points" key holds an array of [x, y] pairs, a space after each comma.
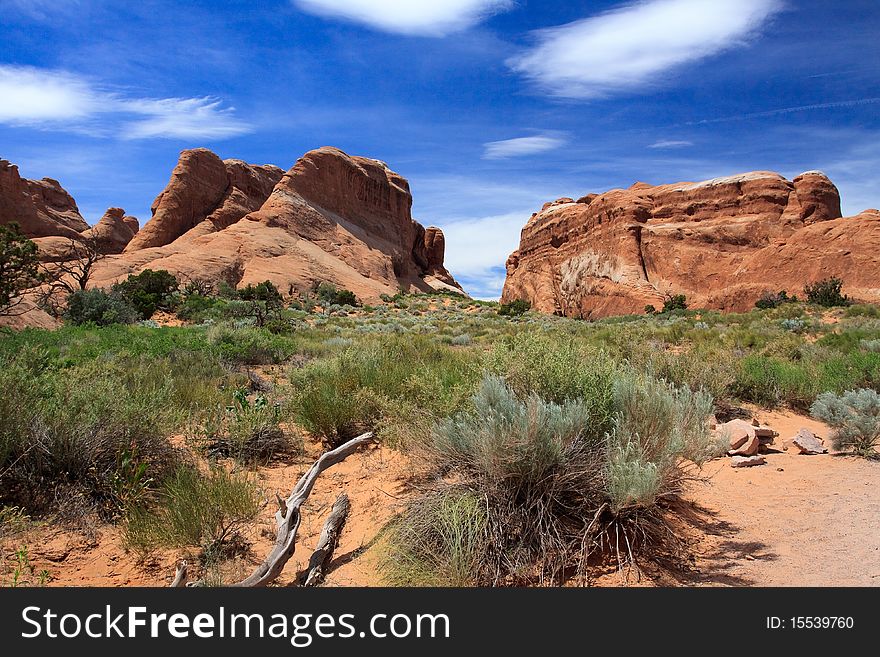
{"points": [[81, 440]]}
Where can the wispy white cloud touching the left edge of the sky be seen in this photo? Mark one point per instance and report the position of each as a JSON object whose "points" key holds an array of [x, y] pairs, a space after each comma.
{"points": [[59, 100]]}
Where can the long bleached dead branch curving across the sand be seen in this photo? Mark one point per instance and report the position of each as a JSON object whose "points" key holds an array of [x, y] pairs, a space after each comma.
{"points": [[288, 517]]}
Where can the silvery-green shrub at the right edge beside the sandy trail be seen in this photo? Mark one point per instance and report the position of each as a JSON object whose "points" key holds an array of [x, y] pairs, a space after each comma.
{"points": [[855, 418]]}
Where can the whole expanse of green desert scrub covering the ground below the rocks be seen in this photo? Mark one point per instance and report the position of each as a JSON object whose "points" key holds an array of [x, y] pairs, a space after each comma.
{"points": [[543, 444]]}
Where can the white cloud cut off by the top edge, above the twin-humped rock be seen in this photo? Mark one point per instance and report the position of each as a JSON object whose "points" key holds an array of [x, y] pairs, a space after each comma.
{"points": [[415, 17]]}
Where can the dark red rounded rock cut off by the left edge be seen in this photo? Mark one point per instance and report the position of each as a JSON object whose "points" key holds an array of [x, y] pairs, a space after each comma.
{"points": [[42, 208]]}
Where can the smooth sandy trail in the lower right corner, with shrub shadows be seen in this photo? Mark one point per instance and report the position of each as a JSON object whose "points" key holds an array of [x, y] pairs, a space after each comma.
{"points": [[796, 521]]}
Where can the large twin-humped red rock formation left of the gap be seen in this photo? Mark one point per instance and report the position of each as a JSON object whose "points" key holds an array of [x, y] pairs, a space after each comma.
{"points": [[331, 217]]}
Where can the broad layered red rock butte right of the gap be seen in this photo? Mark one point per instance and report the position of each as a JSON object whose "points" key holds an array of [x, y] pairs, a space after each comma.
{"points": [[721, 242]]}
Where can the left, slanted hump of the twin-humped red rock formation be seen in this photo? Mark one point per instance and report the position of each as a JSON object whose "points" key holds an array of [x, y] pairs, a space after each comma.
{"points": [[207, 194]]}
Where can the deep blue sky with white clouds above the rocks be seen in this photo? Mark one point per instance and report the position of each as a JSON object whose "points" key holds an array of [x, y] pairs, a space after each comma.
{"points": [[488, 107]]}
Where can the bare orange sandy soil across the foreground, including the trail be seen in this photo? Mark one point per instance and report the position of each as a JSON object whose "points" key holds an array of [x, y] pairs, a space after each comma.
{"points": [[796, 521]]}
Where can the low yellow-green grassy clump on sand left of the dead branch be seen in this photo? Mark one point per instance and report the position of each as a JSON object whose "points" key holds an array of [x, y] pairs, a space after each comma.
{"points": [[194, 509]]}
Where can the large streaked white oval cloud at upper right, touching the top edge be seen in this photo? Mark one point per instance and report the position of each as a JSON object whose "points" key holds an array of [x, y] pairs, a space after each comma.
{"points": [[631, 47]]}
